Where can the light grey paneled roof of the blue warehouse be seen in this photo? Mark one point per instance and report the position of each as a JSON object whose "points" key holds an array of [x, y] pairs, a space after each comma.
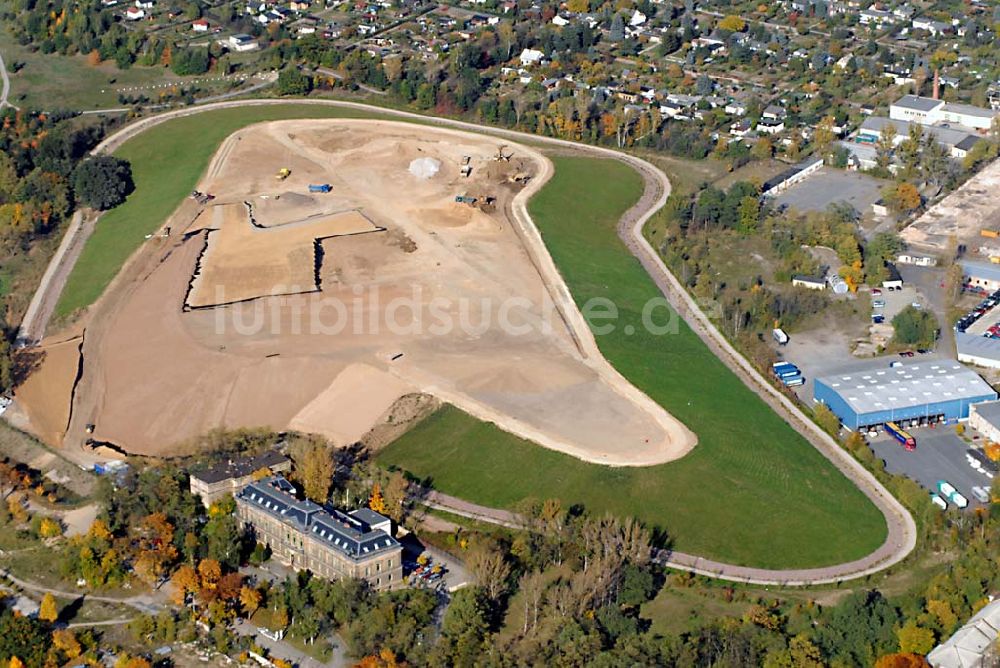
{"points": [[892, 388]]}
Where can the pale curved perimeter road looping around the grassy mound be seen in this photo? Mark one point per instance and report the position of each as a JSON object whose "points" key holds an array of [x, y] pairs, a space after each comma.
{"points": [[902, 531]]}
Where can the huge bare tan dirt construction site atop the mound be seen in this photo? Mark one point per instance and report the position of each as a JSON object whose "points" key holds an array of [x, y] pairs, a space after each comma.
{"points": [[275, 306]]}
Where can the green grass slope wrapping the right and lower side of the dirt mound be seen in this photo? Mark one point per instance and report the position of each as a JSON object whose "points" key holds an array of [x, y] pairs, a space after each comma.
{"points": [[752, 492]]}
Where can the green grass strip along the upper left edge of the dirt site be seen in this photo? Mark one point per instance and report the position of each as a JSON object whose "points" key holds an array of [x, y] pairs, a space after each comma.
{"points": [[167, 162]]}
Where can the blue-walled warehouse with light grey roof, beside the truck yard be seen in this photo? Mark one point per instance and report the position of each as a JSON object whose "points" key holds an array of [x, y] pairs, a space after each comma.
{"points": [[920, 393]]}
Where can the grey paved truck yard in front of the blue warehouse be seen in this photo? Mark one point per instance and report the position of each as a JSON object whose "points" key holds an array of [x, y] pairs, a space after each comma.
{"points": [[940, 455]]}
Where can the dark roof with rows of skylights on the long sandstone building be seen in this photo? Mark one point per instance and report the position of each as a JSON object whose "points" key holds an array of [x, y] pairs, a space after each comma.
{"points": [[349, 534]]}
